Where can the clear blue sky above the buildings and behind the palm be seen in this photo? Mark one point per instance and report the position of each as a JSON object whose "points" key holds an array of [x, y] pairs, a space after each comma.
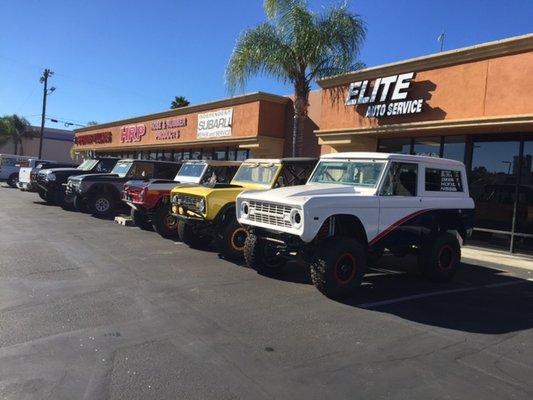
{"points": [[115, 58]]}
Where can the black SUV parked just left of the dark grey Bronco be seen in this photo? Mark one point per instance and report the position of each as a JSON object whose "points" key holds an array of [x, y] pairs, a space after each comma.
{"points": [[51, 182]]}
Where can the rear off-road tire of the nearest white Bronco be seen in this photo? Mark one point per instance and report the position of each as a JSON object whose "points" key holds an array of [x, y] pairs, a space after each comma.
{"points": [[440, 258]]}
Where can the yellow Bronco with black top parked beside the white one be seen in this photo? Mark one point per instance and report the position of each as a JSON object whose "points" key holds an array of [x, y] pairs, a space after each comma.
{"points": [[207, 214]]}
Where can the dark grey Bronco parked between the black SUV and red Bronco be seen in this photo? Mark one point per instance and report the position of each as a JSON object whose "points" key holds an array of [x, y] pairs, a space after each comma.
{"points": [[101, 194]]}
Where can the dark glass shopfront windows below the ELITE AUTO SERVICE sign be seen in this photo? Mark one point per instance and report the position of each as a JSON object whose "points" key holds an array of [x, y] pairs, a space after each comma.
{"points": [[500, 179]]}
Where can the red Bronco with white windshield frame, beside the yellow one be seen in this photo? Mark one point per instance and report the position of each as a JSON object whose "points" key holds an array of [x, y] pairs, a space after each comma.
{"points": [[150, 200]]}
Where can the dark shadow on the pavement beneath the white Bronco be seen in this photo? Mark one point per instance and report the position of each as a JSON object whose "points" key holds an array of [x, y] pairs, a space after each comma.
{"points": [[478, 300]]}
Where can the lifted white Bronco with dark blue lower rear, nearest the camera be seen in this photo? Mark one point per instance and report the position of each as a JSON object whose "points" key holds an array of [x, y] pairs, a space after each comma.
{"points": [[353, 207]]}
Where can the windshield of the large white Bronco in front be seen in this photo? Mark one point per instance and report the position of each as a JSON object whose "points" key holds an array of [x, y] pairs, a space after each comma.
{"points": [[354, 173]]}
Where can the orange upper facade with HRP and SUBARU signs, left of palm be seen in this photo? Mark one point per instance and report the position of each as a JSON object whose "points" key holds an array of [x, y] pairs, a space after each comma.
{"points": [[229, 129]]}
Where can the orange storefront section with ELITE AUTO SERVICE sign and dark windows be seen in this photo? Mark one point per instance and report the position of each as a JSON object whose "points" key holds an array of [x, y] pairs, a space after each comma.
{"points": [[473, 104]]}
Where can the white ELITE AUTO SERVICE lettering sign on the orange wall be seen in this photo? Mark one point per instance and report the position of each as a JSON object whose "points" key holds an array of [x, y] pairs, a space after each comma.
{"points": [[386, 97]]}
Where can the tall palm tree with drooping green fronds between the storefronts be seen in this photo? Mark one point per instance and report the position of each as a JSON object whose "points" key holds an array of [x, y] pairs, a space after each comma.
{"points": [[297, 46]]}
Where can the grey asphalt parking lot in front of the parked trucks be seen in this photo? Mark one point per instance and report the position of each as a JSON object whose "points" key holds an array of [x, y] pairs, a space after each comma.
{"points": [[93, 310]]}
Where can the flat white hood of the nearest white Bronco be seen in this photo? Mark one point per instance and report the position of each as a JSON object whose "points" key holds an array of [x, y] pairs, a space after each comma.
{"points": [[302, 193]]}
